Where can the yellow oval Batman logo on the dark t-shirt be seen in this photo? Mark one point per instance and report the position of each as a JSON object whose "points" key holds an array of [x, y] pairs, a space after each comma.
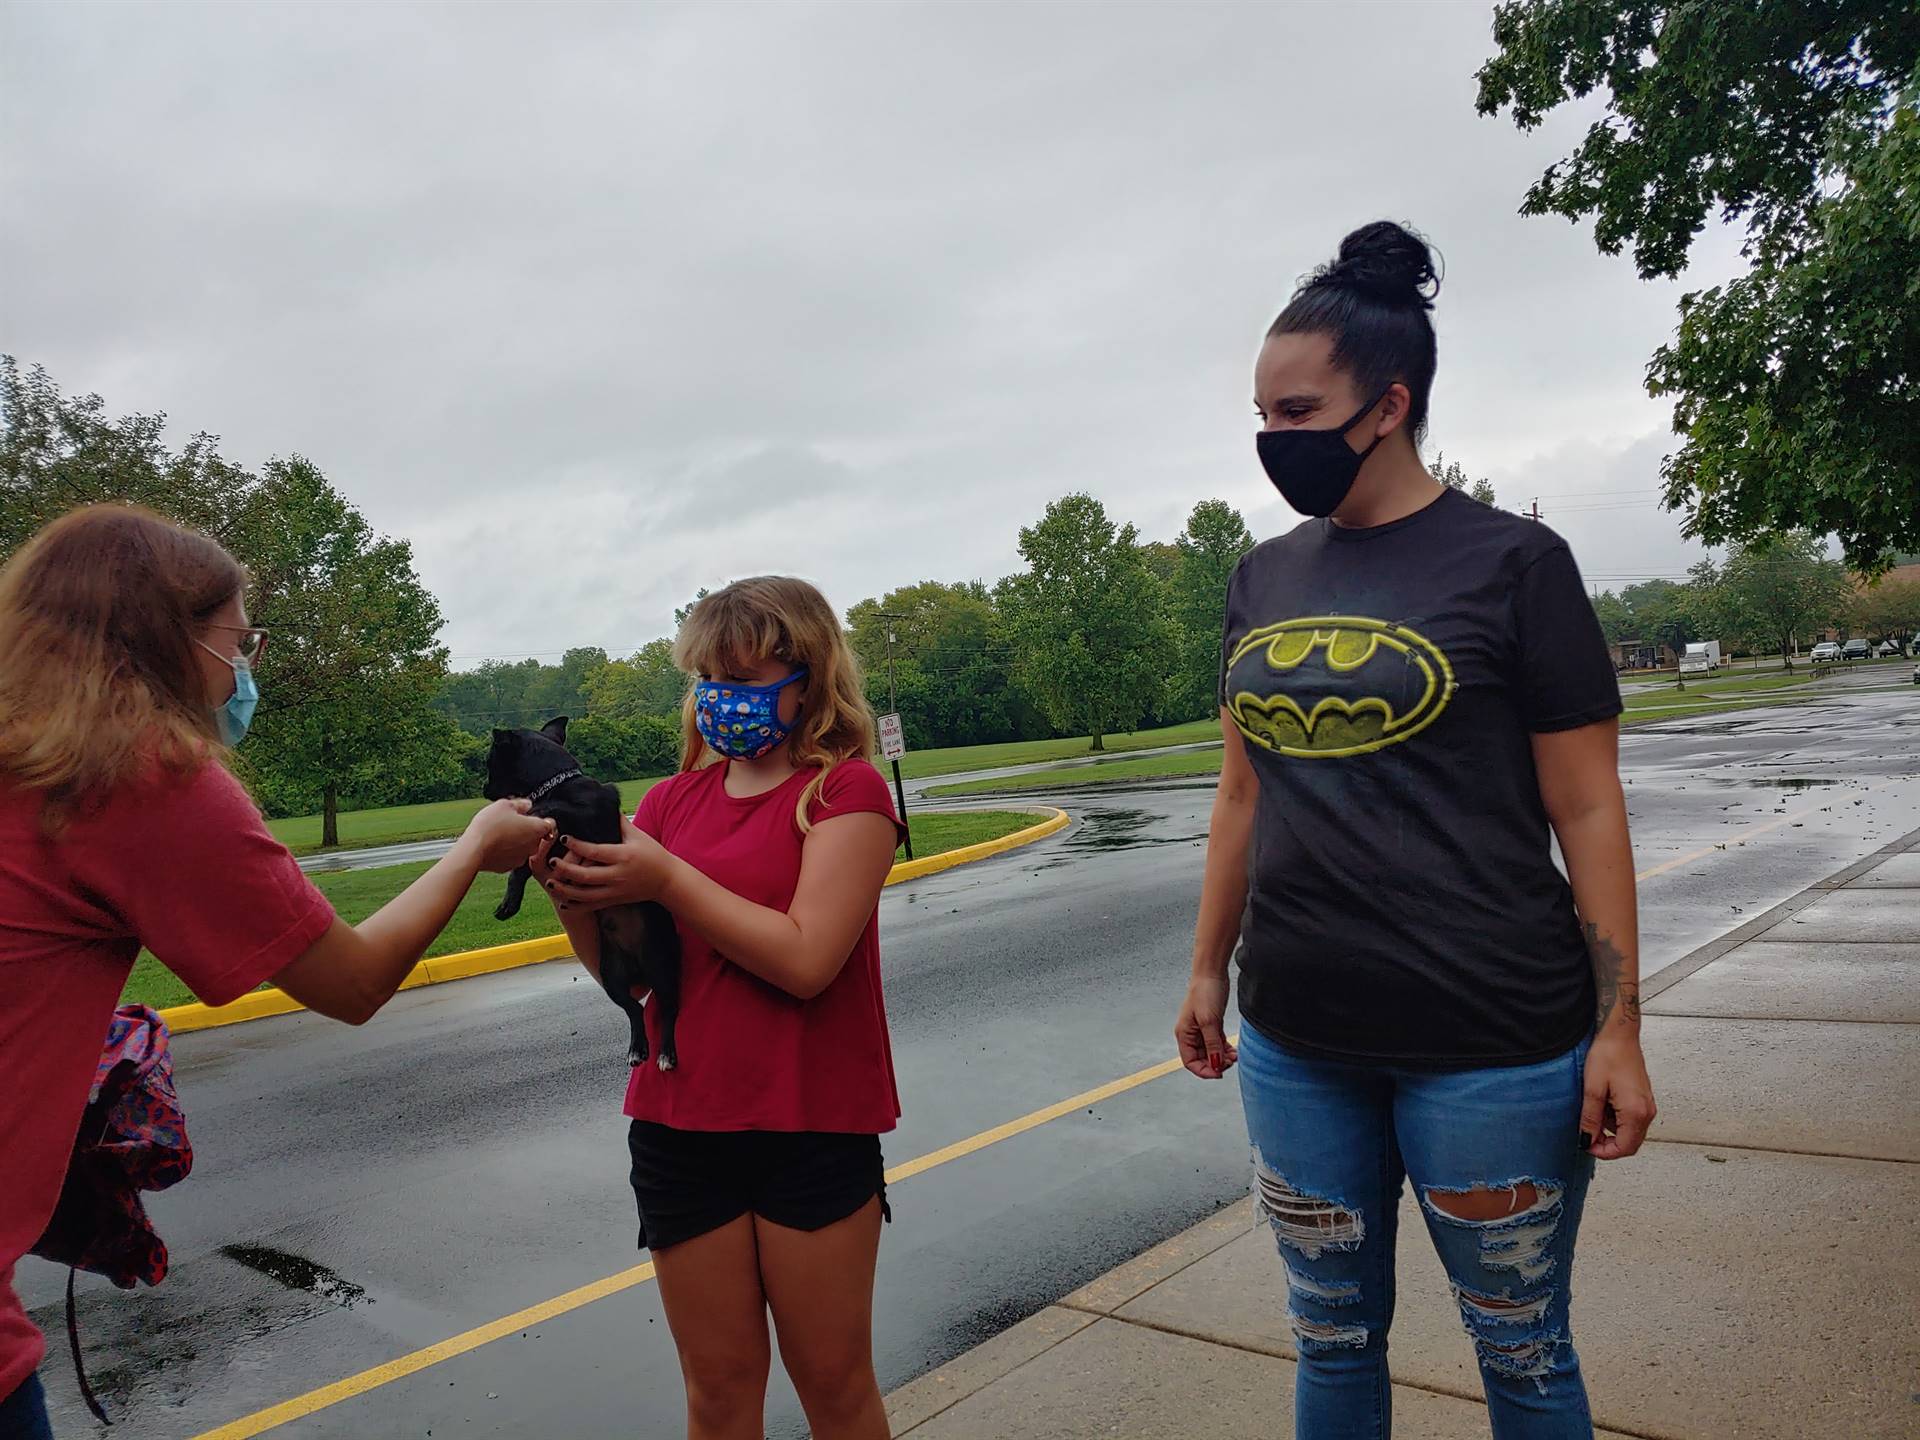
{"points": [[1332, 686]]}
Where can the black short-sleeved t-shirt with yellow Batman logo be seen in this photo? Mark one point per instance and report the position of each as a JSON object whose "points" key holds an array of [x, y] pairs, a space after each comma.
{"points": [[1403, 903]]}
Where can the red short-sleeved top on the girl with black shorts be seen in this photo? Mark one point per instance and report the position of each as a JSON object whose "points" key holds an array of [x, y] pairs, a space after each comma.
{"points": [[754, 1057]]}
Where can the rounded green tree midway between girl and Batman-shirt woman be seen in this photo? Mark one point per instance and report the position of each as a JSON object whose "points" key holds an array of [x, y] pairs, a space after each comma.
{"points": [[1088, 619]]}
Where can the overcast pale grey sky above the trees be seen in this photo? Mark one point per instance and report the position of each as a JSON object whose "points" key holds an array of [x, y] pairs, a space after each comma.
{"points": [[598, 304]]}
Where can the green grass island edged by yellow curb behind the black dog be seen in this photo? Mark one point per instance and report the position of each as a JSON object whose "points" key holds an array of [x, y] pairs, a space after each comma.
{"points": [[358, 894]]}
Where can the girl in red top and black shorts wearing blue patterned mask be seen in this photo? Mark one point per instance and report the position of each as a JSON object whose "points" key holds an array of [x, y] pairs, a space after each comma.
{"points": [[757, 1161]]}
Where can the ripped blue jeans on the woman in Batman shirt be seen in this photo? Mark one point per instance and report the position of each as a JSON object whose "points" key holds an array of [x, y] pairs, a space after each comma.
{"points": [[1500, 1180]]}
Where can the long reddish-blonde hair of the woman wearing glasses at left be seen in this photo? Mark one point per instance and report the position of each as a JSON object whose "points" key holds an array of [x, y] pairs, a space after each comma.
{"points": [[97, 654]]}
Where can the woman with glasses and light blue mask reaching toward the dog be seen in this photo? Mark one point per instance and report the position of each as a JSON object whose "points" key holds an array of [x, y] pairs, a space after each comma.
{"points": [[126, 673]]}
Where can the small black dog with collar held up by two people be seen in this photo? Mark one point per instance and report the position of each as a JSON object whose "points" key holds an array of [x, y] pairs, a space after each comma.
{"points": [[638, 942]]}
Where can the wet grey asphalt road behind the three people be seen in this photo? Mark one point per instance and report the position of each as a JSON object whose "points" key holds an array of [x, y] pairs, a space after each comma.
{"points": [[362, 1195]]}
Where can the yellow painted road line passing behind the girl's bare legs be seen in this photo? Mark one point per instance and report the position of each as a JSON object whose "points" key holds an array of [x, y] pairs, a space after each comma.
{"points": [[587, 1295]]}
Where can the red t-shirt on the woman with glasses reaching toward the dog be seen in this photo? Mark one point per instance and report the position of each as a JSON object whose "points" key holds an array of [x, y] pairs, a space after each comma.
{"points": [[183, 867]]}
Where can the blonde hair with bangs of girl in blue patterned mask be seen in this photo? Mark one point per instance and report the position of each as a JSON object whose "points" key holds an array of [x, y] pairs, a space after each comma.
{"points": [[788, 621]]}
